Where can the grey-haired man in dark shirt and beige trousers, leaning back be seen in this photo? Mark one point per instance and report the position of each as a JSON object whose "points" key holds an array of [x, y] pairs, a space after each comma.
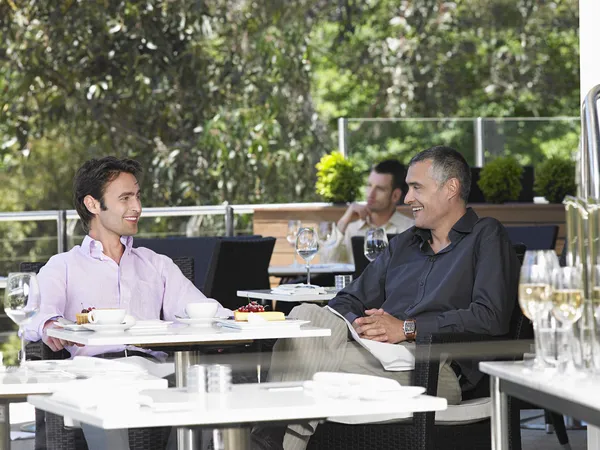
{"points": [[451, 272]]}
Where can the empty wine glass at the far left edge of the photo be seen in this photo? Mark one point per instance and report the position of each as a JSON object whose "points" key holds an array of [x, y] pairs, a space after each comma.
{"points": [[21, 302]]}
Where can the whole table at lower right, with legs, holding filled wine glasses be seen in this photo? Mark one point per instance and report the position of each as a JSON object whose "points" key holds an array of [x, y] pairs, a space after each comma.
{"points": [[568, 395]]}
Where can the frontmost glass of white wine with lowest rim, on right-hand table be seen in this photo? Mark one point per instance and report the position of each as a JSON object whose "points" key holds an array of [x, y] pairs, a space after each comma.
{"points": [[567, 307]]}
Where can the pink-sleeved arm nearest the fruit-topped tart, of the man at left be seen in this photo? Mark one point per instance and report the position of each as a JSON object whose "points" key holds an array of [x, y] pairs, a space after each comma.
{"points": [[179, 291]]}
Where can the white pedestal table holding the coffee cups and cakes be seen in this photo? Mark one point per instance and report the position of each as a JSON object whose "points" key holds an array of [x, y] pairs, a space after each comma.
{"points": [[178, 334]]}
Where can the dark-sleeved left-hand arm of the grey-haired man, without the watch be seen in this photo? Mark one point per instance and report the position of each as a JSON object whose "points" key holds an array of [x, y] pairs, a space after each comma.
{"points": [[367, 292]]}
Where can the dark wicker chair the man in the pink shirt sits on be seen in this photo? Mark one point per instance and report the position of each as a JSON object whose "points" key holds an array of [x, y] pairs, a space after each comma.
{"points": [[51, 432]]}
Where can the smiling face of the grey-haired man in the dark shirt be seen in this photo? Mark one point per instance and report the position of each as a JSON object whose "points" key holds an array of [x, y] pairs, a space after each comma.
{"points": [[430, 202]]}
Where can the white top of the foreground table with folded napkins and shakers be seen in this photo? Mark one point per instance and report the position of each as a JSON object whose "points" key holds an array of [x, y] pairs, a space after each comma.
{"points": [[247, 403]]}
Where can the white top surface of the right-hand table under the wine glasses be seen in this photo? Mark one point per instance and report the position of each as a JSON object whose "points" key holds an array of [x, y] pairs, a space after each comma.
{"points": [[581, 390]]}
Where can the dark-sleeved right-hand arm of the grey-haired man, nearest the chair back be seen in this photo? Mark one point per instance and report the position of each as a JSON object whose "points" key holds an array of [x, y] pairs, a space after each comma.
{"points": [[494, 292]]}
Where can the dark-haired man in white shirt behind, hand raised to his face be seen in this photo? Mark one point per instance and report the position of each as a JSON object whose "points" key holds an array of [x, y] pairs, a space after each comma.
{"points": [[385, 189]]}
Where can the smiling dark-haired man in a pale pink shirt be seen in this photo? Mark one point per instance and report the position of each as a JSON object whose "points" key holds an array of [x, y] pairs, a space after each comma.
{"points": [[106, 271]]}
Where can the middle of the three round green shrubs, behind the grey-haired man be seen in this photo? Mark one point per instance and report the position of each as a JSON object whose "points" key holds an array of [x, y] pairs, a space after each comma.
{"points": [[500, 180]]}
